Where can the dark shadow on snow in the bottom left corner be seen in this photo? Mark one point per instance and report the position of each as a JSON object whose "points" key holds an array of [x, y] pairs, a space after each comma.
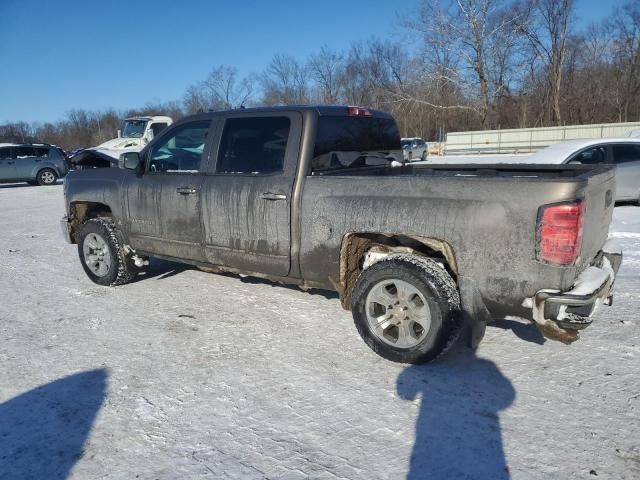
{"points": [[43, 431]]}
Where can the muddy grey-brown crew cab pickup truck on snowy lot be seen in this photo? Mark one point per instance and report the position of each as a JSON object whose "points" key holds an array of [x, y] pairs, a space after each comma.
{"points": [[318, 197]]}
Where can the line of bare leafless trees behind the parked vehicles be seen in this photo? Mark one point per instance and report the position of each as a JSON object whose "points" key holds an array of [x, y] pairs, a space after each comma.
{"points": [[459, 65]]}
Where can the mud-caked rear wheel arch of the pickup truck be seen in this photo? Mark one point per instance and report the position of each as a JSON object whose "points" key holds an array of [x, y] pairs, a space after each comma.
{"points": [[355, 247]]}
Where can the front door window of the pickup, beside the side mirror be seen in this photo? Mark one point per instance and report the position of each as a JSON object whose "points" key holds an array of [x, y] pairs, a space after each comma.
{"points": [[180, 150]]}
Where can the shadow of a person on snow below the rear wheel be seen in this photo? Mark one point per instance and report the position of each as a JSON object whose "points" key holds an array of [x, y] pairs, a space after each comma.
{"points": [[458, 429]]}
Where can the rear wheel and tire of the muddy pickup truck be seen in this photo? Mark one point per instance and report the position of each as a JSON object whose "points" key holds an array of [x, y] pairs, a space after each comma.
{"points": [[407, 308]]}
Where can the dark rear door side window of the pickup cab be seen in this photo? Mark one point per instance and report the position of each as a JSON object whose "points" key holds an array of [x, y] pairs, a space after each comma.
{"points": [[254, 145]]}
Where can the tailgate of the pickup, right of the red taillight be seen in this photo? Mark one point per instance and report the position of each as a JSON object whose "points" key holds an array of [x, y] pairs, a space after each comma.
{"points": [[599, 195]]}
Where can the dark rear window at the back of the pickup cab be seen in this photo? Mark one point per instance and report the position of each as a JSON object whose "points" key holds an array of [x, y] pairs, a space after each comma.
{"points": [[345, 142]]}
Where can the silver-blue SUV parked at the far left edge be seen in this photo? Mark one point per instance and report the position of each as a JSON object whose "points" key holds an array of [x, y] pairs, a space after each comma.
{"points": [[36, 164]]}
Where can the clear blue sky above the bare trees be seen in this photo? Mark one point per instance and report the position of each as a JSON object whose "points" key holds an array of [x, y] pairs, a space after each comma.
{"points": [[63, 54]]}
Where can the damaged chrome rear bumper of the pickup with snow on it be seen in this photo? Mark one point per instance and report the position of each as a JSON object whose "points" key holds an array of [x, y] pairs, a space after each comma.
{"points": [[559, 315]]}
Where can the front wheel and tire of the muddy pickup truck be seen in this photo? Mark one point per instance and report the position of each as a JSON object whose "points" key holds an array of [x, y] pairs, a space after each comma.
{"points": [[102, 253]]}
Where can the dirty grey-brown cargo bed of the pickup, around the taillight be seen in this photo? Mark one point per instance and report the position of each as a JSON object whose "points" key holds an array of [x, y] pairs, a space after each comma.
{"points": [[487, 213]]}
